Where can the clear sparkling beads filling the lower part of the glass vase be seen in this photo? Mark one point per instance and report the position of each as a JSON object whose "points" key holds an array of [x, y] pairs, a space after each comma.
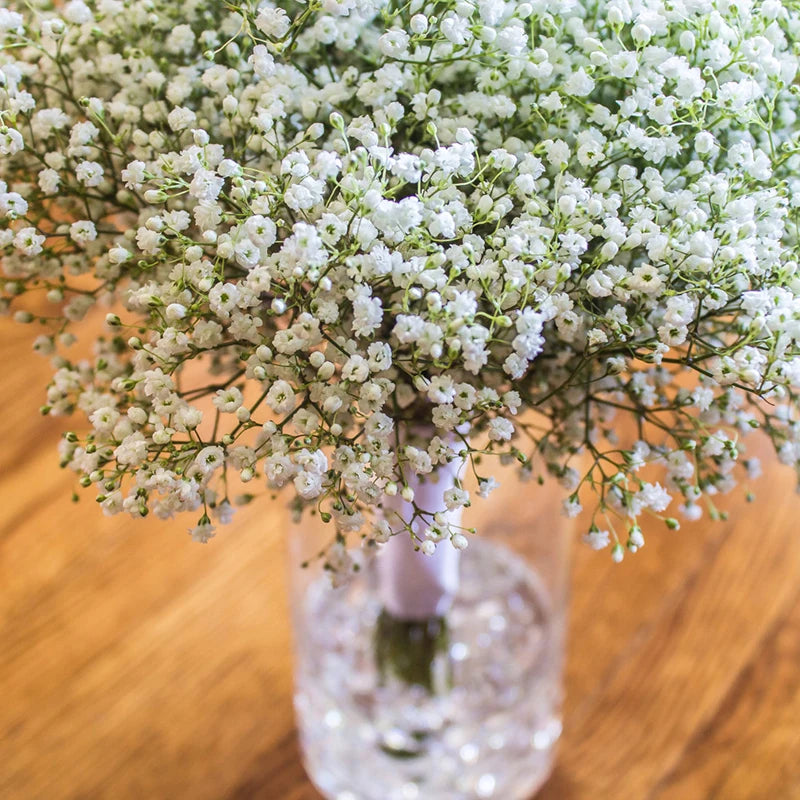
{"points": [[490, 735]]}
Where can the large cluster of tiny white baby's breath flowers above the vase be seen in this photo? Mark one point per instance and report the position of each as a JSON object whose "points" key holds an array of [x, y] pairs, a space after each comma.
{"points": [[340, 219]]}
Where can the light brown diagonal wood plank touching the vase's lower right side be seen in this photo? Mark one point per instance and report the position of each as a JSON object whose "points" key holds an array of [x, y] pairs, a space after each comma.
{"points": [[676, 675]]}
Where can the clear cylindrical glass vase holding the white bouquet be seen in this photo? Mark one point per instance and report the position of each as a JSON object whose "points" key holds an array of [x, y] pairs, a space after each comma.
{"points": [[462, 704]]}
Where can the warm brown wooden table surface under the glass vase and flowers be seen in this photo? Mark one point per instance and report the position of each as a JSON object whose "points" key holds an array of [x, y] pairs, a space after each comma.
{"points": [[139, 665]]}
